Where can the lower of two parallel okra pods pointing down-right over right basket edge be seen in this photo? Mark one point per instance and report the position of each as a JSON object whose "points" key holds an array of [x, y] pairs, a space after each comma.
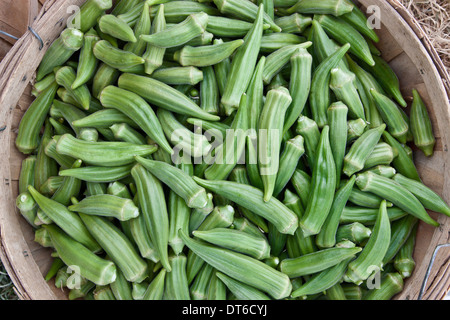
{"points": [[394, 192]]}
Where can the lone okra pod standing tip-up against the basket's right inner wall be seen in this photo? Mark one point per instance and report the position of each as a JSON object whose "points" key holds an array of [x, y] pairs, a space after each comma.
{"points": [[421, 126]]}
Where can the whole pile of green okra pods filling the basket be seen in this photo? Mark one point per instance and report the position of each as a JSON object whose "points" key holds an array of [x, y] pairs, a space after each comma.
{"points": [[224, 149]]}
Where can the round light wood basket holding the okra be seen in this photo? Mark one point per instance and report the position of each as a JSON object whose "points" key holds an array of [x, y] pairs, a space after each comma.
{"points": [[403, 44]]}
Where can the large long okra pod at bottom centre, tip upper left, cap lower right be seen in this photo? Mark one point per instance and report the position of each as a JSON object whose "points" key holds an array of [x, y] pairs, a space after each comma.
{"points": [[235, 265]]}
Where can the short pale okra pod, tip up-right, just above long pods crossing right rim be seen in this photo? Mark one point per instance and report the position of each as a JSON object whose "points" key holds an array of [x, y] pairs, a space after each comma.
{"points": [[361, 149]]}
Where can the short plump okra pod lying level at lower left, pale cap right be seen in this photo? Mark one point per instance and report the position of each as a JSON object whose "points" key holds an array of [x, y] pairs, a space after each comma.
{"points": [[107, 206]]}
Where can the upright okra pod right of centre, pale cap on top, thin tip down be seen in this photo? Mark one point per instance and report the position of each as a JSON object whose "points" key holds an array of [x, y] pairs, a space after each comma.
{"points": [[337, 120]]}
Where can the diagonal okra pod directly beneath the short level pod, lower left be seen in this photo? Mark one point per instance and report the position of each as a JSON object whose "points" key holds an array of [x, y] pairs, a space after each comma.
{"points": [[117, 246]]}
